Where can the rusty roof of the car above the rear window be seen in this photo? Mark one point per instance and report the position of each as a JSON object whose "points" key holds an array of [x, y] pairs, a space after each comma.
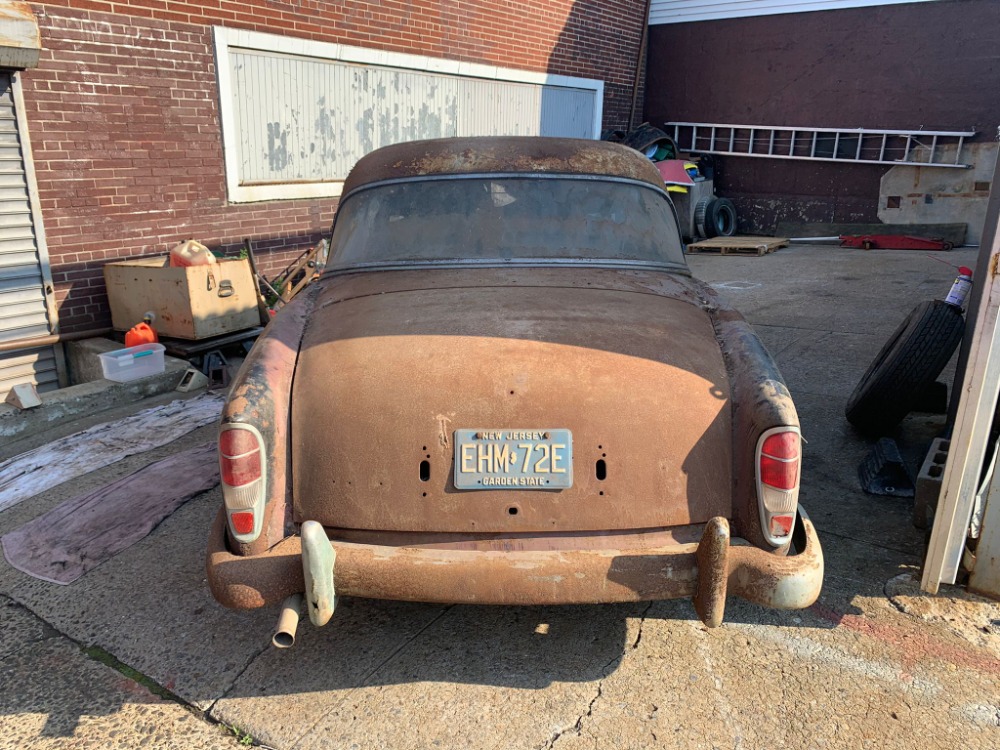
{"points": [[500, 155]]}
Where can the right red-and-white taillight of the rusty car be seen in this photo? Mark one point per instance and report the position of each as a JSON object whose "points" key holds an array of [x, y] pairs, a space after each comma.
{"points": [[779, 457]]}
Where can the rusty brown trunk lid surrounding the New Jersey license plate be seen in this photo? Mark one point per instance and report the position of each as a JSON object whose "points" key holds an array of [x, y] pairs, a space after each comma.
{"points": [[411, 367]]}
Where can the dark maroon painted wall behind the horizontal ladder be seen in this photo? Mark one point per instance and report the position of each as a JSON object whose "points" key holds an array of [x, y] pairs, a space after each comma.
{"points": [[886, 66]]}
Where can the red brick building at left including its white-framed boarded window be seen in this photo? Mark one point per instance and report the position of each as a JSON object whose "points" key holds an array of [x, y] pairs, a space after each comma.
{"points": [[141, 115]]}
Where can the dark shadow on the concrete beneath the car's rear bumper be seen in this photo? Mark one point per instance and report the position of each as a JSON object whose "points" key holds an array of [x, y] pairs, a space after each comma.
{"points": [[371, 643]]}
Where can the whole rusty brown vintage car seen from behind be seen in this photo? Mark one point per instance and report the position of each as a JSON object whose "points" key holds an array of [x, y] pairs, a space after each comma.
{"points": [[507, 388]]}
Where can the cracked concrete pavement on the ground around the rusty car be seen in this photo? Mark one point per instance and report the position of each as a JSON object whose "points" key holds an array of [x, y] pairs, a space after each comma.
{"points": [[872, 664]]}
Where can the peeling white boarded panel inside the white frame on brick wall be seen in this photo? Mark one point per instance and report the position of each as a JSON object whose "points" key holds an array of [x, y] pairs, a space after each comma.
{"points": [[302, 119]]}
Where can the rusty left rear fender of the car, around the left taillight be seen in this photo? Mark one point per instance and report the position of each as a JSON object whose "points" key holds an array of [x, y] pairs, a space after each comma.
{"points": [[260, 395]]}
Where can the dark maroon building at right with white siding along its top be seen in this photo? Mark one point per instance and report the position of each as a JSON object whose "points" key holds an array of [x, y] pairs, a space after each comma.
{"points": [[835, 65]]}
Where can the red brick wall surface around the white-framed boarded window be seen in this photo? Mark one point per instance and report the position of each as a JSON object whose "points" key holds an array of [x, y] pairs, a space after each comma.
{"points": [[124, 122]]}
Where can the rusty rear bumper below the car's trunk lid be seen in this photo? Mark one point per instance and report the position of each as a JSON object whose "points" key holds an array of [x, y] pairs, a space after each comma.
{"points": [[707, 571]]}
